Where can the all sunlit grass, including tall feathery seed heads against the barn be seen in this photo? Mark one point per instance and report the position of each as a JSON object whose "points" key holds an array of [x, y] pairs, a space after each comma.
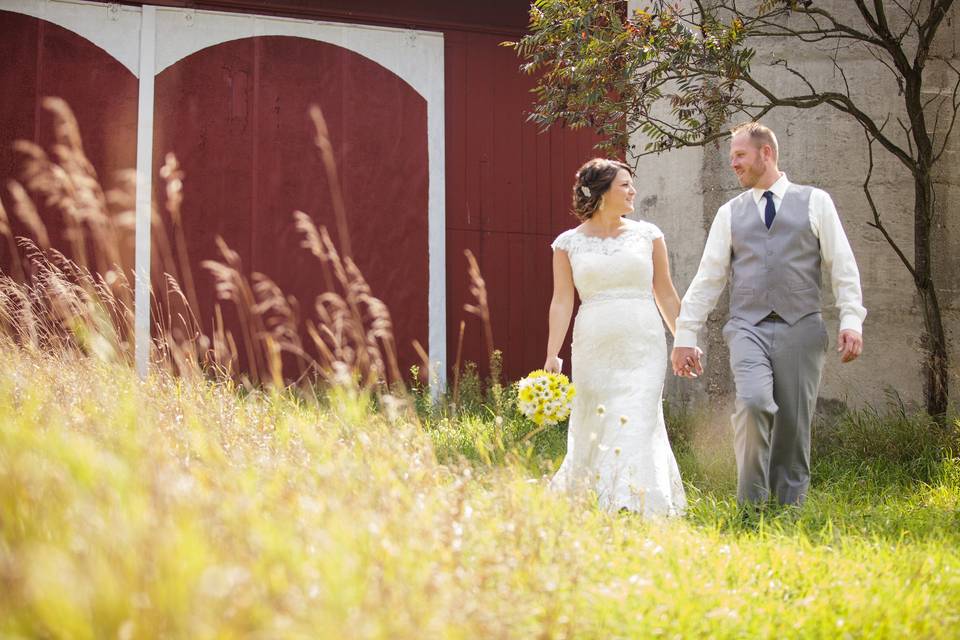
{"points": [[256, 507]]}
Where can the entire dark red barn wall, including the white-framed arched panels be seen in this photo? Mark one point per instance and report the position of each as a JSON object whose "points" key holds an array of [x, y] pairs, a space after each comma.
{"points": [[236, 116]]}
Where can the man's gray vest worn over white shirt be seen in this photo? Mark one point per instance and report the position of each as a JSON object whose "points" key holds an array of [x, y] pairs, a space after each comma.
{"points": [[776, 269]]}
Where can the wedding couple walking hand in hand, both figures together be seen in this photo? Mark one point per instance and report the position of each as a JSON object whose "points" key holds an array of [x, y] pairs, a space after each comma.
{"points": [[770, 243]]}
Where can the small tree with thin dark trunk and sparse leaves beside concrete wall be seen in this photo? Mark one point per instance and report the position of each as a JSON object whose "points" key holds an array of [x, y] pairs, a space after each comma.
{"points": [[678, 72]]}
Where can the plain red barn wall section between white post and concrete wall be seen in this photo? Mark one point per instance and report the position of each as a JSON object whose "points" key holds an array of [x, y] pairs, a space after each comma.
{"points": [[508, 196]]}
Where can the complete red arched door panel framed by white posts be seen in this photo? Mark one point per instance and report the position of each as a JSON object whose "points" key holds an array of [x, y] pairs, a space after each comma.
{"points": [[236, 115]]}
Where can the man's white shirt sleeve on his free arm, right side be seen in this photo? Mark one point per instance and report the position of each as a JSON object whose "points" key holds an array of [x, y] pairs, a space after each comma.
{"points": [[838, 259]]}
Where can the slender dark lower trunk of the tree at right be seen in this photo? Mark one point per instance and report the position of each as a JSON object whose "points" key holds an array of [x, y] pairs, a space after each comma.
{"points": [[936, 370]]}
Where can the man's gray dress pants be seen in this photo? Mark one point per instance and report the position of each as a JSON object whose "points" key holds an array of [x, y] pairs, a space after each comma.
{"points": [[776, 369]]}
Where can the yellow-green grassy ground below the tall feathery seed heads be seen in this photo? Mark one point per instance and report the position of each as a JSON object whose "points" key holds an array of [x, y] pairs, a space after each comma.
{"points": [[179, 508]]}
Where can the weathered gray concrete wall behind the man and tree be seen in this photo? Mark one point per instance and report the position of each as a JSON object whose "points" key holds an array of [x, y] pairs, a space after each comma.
{"points": [[681, 191]]}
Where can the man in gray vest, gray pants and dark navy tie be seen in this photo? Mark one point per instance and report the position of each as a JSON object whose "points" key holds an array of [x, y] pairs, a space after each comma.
{"points": [[770, 242]]}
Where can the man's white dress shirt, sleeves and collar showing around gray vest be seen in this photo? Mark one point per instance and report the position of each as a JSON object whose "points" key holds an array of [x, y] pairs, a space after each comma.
{"points": [[714, 271]]}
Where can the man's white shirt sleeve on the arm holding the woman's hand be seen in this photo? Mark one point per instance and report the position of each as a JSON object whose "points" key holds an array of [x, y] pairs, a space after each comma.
{"points": [[708, 284]]}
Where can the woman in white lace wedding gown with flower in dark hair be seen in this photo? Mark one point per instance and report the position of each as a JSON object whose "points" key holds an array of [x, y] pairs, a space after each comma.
{"points": [[617, 443]]}
